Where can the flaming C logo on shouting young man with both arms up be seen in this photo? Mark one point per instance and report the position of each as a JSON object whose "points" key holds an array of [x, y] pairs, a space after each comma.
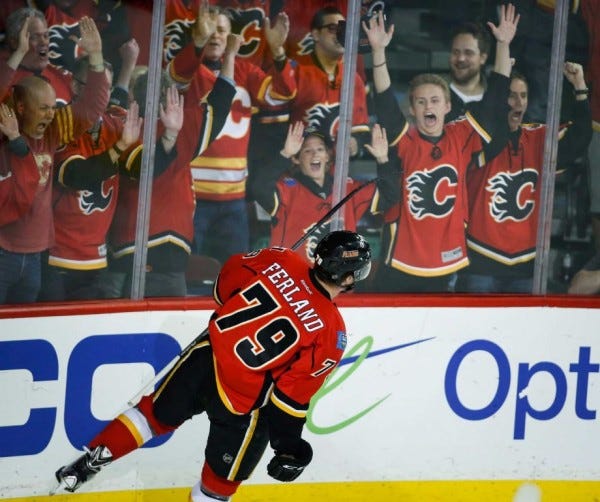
{"points": [[432, 193]]}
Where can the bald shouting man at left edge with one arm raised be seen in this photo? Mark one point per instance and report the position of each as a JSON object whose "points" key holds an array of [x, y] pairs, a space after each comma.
{"points": [[43, 129]]}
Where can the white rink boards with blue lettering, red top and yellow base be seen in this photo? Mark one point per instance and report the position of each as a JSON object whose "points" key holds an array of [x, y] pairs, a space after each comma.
{"points": [[439, 399]]}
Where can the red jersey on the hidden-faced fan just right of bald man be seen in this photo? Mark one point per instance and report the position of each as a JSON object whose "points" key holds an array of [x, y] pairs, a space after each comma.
{"points": [[82, 217]]}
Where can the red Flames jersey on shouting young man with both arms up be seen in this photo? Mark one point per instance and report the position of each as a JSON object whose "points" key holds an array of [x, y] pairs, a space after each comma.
{"points": [[428, 238]]}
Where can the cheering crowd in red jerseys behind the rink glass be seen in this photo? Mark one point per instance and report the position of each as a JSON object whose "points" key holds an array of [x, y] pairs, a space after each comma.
{"points": [[246, 132]]}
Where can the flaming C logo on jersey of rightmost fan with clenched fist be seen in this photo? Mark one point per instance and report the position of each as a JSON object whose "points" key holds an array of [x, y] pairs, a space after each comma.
{"points": [[509, 198]]}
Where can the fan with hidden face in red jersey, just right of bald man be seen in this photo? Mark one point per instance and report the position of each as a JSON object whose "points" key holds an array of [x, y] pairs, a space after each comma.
{"points": [[85, 192]]}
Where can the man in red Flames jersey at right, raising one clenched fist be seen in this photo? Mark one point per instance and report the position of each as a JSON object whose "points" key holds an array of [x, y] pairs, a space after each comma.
{"points": [[504, 195]]}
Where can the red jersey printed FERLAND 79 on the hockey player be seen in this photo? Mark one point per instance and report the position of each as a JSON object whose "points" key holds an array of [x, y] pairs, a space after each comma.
{"points": [[277, 334]]}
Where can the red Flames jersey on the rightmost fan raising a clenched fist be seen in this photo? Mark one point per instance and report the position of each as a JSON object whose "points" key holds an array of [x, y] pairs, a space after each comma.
{"points": [[504, 196]]}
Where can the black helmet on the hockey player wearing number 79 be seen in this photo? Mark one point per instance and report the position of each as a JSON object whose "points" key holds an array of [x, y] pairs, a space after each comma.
{"points": [[341, 253]]}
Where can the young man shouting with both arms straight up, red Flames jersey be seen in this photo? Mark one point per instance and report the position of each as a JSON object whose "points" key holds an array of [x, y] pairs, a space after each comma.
{"points": [[427, 242]]}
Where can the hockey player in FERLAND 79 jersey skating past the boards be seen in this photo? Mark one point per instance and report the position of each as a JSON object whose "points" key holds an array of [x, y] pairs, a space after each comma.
{"points": [[251, 396]]}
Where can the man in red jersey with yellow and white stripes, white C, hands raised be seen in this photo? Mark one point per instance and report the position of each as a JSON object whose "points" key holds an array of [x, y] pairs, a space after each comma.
{"points": [[220, 172]]}
